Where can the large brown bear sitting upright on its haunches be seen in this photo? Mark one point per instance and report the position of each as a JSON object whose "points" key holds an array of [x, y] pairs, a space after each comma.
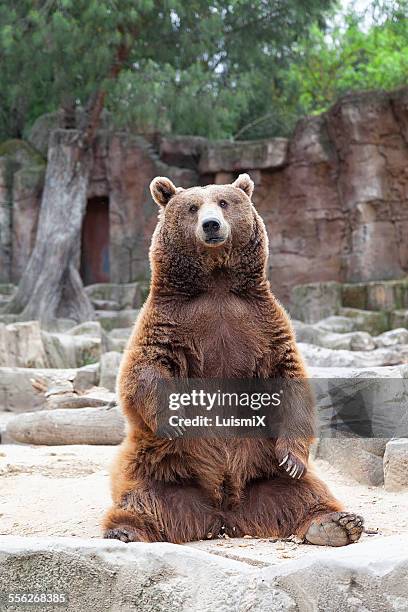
{"points": [[211, 314]]}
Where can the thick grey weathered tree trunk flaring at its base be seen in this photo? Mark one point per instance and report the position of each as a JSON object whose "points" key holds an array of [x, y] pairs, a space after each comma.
{"points": [[51, 286]]}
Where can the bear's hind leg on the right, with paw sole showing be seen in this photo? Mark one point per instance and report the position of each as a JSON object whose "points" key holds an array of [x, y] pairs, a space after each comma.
{"points": [[281, 507]]}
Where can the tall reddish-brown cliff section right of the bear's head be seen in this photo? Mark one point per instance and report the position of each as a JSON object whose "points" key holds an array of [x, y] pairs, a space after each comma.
{"points": [[338, 209]]}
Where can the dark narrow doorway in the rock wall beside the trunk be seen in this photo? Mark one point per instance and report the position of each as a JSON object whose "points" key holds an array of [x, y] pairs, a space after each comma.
{"points": [[95, 242]]}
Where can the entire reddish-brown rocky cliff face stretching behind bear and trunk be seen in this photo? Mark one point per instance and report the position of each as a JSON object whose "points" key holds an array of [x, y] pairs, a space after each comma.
{"points": [[334, 197]]}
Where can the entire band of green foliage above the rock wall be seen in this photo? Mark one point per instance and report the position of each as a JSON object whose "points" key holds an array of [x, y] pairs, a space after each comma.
{"points": [[221, 69]]}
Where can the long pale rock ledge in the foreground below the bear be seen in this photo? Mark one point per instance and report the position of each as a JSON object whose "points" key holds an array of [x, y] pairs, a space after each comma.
{"points": [[111, 575]]}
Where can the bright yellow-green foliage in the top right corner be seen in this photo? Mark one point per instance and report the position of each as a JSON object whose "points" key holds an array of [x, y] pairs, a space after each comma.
{"points": [[348, 58]]}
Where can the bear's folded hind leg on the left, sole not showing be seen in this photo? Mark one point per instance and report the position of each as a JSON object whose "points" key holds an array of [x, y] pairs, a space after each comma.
{"points": [[164, 512]]}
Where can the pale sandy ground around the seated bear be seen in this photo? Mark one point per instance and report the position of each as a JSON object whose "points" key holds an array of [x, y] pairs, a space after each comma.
{"points": [[64, 490]]}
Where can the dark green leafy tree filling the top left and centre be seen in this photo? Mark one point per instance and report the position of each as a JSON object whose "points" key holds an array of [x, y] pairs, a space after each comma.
{"points": [[190, 66]]}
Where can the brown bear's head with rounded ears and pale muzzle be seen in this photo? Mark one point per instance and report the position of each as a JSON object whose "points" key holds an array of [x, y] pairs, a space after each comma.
{"points": [[203, 230]]}
